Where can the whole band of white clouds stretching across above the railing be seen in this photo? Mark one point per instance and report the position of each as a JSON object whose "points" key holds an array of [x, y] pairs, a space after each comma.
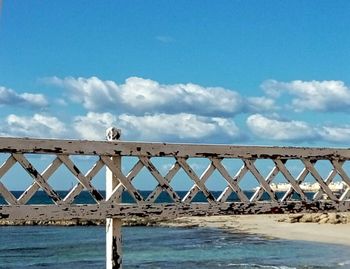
{"points": [[148, 110]]}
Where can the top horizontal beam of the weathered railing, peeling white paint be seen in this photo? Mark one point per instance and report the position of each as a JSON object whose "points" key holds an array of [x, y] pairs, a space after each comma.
{"points": [[81, 147]]}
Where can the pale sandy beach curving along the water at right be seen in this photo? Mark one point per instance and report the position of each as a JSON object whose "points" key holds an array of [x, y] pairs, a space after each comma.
{"points": [[270, 226]]}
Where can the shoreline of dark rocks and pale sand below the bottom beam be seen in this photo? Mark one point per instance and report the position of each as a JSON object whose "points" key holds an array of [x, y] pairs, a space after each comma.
{"points": [[317, 227]]}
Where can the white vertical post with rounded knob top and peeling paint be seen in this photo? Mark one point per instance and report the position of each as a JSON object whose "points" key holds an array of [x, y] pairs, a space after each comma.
{"points": [[113, 226]]}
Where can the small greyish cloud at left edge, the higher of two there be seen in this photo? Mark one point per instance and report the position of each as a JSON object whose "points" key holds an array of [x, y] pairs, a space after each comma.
{"points": [[10, 97]]}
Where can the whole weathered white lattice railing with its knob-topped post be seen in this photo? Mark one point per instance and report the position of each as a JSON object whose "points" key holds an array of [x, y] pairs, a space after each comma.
{"points": [[111, 155]]}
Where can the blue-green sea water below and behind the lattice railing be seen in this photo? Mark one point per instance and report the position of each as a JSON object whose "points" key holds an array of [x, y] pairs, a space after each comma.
{"points": [[160, 247]]}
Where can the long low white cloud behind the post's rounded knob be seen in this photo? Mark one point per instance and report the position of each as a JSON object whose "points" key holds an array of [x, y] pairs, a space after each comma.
{"points": [[161, 127]]}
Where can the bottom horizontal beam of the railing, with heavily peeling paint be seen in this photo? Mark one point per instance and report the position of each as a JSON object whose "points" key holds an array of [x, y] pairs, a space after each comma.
{"points": [[168, 211]]}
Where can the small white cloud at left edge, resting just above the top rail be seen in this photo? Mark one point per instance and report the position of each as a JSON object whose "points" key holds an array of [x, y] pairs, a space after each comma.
{"points": [[36, 126]]}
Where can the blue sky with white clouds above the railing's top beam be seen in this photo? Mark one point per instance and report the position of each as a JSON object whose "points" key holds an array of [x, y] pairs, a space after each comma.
{"points": [[222, 72]]}
